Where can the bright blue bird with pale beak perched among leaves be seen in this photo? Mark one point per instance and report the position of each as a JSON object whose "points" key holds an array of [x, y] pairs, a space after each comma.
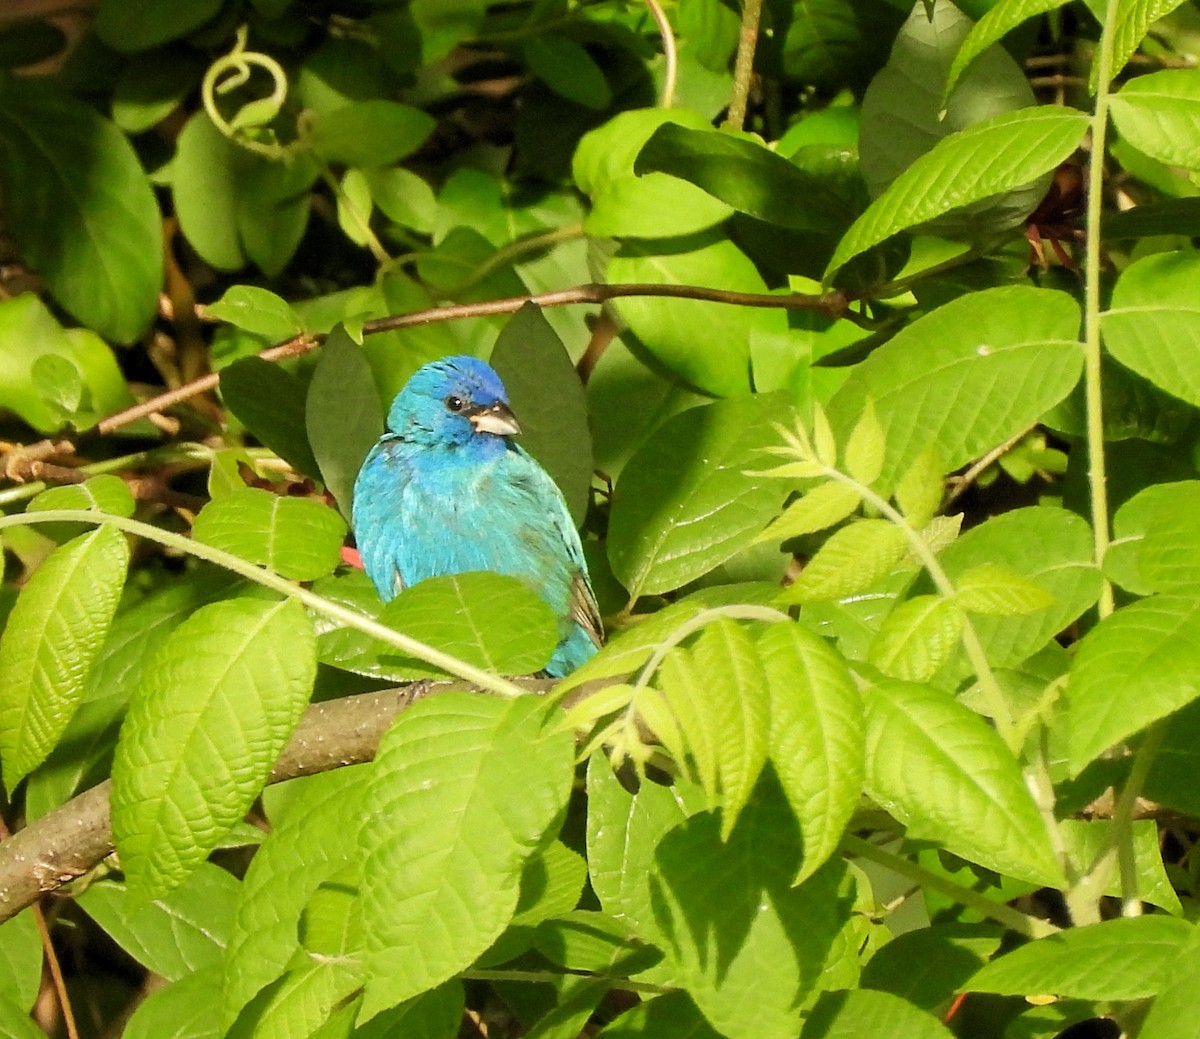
{"points": [[446, 491]]}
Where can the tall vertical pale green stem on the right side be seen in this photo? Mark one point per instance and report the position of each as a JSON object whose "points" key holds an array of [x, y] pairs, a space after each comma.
{"points": [[1093, 355]]}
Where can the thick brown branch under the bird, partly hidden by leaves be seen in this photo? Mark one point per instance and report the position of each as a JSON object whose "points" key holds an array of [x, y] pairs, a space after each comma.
{"points": [[75, 838]]}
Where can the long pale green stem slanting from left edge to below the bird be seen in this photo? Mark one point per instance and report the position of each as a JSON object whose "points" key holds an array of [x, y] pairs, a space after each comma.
{"points": [[334, 611]]}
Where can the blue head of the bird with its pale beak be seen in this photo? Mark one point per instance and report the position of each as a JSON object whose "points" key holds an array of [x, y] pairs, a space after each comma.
{"points": [[454, 401]]}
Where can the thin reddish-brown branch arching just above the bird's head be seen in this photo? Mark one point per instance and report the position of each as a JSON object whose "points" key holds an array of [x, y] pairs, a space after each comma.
{"points": [[835, 304]]}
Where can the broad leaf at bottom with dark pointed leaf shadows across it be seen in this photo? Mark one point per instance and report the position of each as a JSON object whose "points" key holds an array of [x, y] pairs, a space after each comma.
{"points": [[731, 922]]}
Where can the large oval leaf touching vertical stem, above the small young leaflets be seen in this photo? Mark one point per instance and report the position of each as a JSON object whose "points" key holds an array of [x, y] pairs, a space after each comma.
{"points": [[937, 381]]}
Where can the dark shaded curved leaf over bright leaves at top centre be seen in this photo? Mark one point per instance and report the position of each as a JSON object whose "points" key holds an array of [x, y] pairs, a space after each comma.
{"points": [[745, 176]]}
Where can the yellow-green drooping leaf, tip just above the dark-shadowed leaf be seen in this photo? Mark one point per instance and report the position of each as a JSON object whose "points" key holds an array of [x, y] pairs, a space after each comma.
{"points": [[718, 693]]}
